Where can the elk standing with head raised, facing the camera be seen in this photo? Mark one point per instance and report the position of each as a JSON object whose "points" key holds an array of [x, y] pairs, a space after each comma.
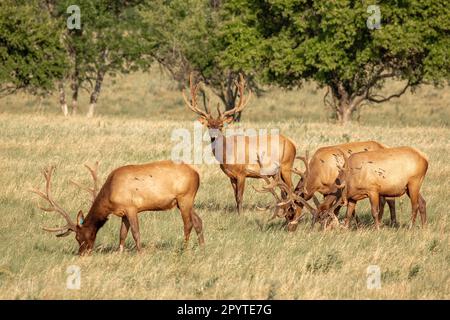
{"points": [[237, 153]]}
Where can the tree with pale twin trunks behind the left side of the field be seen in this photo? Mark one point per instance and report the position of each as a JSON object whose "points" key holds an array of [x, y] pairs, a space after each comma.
{"points": [[113, 38]]}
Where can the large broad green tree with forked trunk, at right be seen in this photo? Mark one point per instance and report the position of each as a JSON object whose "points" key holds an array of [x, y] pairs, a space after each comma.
{"points": [[336, 44]]}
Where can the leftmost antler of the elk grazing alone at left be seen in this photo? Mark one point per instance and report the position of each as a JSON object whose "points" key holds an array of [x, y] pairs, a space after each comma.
{"points": [[54, 207]]}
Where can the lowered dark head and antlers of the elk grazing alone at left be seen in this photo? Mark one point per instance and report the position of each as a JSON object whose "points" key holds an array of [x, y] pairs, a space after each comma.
{"points": [[84, 234]]}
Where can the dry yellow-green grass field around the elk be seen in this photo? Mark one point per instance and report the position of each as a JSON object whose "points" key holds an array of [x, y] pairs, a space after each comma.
{"points": [[244, 257]]}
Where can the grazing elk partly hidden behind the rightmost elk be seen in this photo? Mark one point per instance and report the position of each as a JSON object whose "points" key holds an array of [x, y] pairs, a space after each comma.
{"points": [[322, 170]]}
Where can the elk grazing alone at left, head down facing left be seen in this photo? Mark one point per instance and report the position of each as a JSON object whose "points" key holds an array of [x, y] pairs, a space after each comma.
{"points": [[127, 191]]}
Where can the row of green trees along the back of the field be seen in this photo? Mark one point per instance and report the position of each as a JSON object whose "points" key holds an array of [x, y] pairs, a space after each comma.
{"points": [[273, 42]]}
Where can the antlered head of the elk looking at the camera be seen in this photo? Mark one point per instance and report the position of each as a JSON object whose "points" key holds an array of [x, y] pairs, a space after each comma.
{"points": [[226, 117]]}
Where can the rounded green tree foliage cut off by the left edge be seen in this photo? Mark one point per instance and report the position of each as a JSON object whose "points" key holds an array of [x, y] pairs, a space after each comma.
{"points": [[31, 55]]}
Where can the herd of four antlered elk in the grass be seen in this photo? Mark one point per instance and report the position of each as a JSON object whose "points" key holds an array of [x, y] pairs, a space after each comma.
{"points": [[343, 174]]}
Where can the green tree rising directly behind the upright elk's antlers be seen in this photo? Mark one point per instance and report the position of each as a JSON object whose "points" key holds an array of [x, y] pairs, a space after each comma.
{"points": [[190, 40]]}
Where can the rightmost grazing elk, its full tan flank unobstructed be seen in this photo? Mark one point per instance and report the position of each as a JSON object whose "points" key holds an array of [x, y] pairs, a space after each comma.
{"points": [[388, 172]]}
